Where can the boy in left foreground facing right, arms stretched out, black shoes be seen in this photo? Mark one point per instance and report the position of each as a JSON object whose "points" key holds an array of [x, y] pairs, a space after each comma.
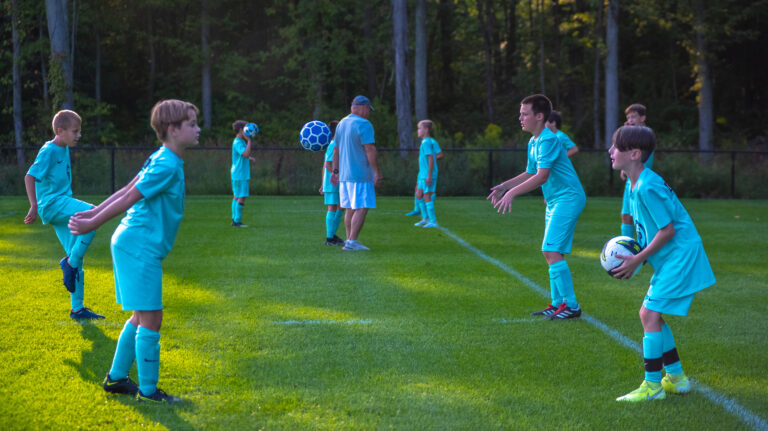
{"points": [[154, 201]]}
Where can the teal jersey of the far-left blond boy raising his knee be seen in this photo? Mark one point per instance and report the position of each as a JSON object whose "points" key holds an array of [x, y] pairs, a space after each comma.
{"points": [[52, 171]]}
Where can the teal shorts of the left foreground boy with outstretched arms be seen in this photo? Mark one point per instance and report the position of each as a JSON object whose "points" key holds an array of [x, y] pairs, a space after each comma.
{"points": [[138, 281]]}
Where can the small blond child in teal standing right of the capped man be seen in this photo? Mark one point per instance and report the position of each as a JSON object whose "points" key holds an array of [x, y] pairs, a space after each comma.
{"points": [[426, 182]]}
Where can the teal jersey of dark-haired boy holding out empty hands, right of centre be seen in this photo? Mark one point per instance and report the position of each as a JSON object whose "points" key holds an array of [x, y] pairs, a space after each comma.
{"points": [[563, 186]]}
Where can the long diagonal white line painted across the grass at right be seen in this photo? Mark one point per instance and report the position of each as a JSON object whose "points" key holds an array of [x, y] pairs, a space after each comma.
{"points": [[732, 406]]}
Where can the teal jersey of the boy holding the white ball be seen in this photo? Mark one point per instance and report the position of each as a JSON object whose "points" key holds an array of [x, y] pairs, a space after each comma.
{"points": [[680, 267]]}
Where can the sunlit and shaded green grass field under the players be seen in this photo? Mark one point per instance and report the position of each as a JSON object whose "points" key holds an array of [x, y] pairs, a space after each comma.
{"points": [[267, 328]]}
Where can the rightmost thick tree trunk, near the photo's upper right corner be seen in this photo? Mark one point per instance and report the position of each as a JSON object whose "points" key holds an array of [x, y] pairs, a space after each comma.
{"points": [[706, 123]]}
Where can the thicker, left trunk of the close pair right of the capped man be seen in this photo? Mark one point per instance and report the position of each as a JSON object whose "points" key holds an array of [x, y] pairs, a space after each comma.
{"points": [[403, 88]]}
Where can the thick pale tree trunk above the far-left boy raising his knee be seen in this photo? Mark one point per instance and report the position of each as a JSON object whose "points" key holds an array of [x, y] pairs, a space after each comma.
{"points": [[58, 27]]}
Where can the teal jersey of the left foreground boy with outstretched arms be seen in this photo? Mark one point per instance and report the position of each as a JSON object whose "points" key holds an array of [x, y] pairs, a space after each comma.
{"points": [[150, 226]]}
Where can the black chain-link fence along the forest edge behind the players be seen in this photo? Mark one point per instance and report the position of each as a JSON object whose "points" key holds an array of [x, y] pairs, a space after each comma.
{"points": [[462, 172]]}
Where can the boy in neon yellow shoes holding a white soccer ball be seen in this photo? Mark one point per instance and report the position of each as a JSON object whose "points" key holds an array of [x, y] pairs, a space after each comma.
{"points": [[672, 245]]}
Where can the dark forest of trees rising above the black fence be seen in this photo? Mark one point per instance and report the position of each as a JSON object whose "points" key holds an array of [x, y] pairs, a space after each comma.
{"points": [[698, 65]]}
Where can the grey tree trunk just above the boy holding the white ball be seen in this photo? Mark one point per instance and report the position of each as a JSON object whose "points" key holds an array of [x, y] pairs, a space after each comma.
{"points": [[611, 71]]}
